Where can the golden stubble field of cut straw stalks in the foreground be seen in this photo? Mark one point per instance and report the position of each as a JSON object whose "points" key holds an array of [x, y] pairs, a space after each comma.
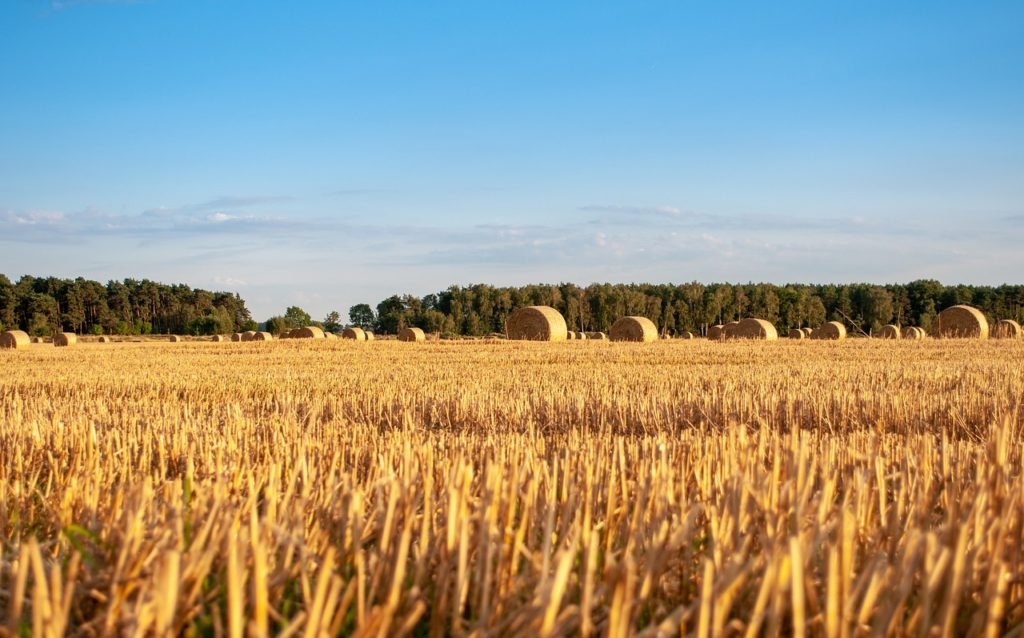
{"points": [[490, 488]]}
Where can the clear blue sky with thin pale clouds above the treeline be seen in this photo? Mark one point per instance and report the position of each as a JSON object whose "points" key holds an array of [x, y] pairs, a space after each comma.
{"points": [[326, 154]]}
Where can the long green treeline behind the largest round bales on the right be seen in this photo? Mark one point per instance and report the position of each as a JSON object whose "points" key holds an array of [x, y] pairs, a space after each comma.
{"points": [[482, 310]]}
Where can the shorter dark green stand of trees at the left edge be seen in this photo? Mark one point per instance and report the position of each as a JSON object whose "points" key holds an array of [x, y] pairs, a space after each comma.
{"points": [[46, 306]]}
